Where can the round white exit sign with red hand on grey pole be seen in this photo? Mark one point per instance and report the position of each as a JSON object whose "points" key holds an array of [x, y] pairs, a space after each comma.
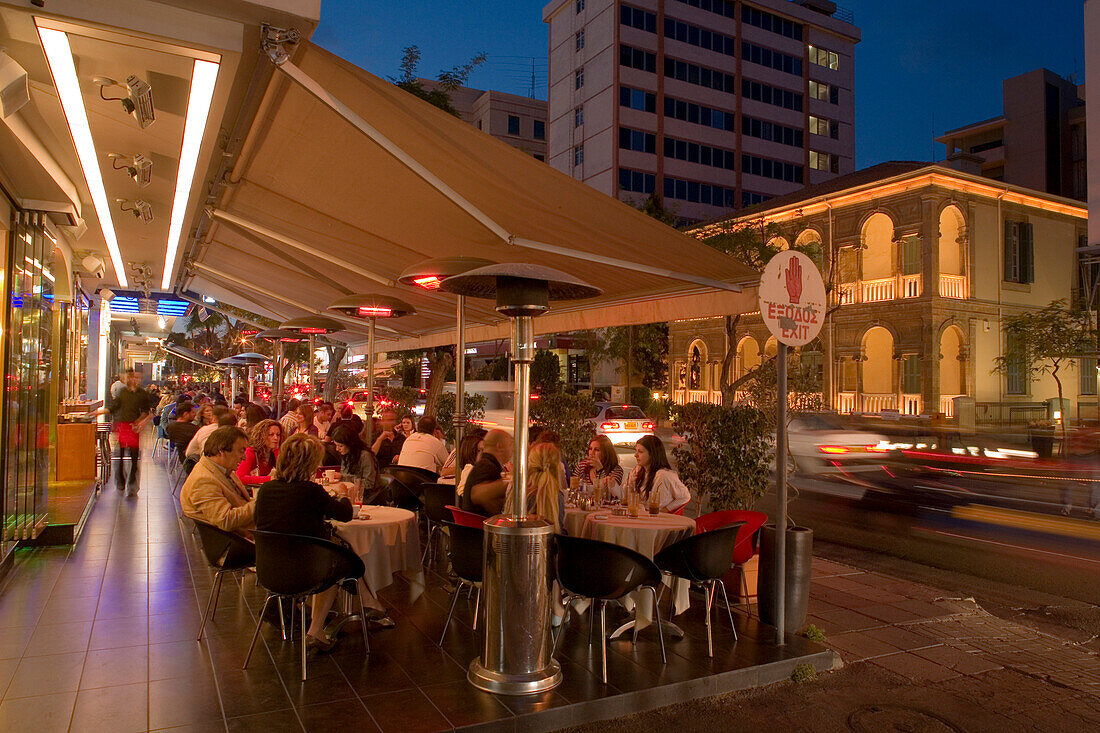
{"points": [[793, 305]]}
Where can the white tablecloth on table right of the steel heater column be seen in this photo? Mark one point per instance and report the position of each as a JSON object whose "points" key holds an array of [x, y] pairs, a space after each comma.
{"points": [[647, 535]]}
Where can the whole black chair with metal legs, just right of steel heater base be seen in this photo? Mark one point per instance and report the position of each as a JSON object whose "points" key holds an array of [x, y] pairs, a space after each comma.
{"points": [[603, 572]]}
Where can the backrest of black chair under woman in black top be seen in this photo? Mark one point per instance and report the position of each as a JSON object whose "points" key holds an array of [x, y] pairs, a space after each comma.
{"points": [[296, 565]]}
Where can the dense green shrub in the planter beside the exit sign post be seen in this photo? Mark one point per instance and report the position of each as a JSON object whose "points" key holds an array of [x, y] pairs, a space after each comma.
{"points": [[725, 456]]}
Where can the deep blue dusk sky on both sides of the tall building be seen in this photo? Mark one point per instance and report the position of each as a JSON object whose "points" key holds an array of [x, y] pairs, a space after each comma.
{"points": [[917, 60]]}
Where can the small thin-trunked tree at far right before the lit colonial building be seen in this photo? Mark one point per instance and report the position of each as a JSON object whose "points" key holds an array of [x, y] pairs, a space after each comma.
{"points": [[1043, 343]]}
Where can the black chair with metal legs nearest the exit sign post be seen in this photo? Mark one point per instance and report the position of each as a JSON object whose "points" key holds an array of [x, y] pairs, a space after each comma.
{"points": [[702, 561]]}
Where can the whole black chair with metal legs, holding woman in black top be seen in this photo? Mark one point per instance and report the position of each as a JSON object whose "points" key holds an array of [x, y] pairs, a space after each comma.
{"points": [[295, 567]]}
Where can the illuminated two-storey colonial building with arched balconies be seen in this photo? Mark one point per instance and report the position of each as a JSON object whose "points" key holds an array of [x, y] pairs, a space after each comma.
{"points": [[923, 262]]}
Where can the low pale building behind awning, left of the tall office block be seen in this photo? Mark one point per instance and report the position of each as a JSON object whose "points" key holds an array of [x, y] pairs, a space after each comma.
{"points": [[520, 122]]}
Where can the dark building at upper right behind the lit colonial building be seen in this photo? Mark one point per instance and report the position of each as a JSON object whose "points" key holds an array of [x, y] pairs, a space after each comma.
{"points": [[1040, 140]]}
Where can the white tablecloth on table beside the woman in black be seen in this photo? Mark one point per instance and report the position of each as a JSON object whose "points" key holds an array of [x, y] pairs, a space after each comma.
{"points": [[389, 543]]}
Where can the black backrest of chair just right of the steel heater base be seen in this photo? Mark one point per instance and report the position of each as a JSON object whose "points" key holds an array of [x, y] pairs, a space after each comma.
{"points": [[604, 571]]}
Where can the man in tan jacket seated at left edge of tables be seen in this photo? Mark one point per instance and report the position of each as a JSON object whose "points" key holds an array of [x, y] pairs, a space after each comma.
{"points": [[213, 494]]}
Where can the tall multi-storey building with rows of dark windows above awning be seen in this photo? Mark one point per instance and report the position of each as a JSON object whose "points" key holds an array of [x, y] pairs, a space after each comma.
{"points": [[713, 105]]}
